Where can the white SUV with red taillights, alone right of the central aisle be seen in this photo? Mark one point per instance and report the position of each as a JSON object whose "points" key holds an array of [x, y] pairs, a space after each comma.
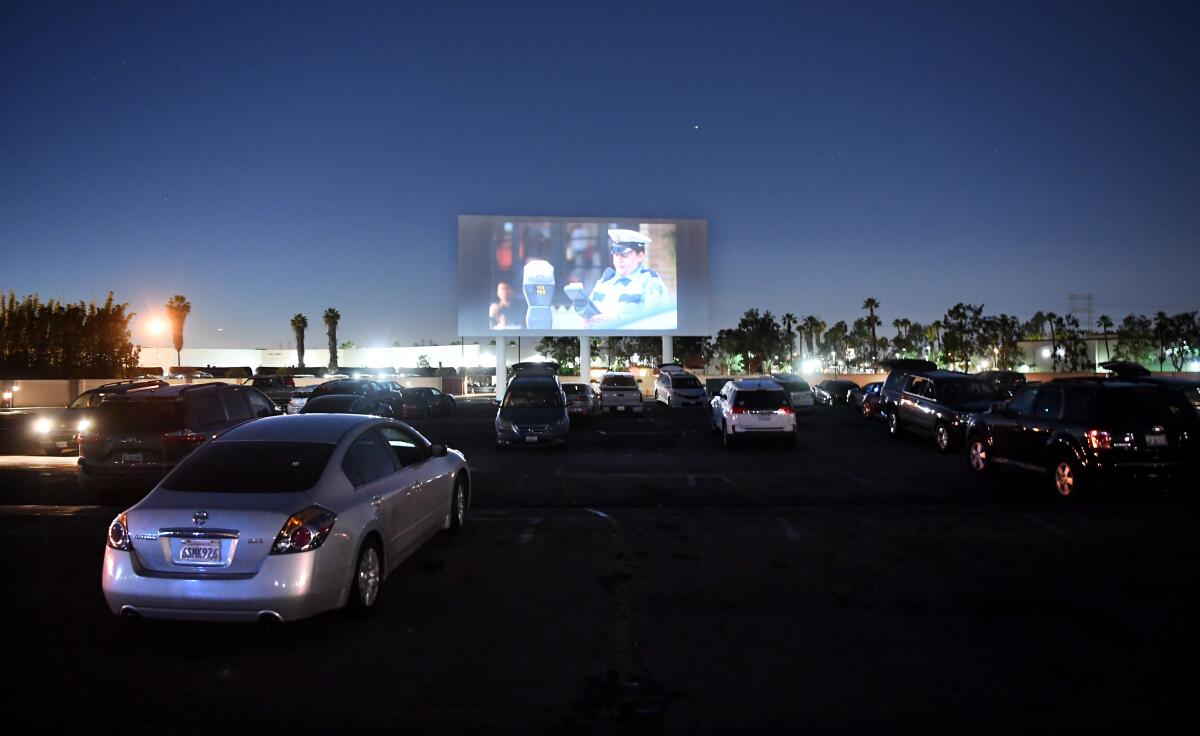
{"points": [[753, 406]]}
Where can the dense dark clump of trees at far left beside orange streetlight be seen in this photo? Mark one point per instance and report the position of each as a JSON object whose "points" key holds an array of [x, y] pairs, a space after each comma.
{"points": [[59, 340]]}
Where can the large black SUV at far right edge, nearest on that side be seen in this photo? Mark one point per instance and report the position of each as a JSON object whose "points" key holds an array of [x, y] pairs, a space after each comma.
{"points": [[1087, 430]]}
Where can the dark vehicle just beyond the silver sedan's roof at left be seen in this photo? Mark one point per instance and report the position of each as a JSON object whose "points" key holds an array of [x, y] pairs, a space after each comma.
{"points": [[141, 435]]}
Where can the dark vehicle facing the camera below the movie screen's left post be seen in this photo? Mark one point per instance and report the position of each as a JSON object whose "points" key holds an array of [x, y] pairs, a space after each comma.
{"points": [[533, 412]]}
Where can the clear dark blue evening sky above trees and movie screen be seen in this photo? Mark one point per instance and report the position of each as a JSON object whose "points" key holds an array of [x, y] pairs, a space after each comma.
{"points": [[267, 160]]}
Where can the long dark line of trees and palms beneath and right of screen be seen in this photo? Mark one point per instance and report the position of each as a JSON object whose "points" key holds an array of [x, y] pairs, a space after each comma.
{"points": [[965, 338]]}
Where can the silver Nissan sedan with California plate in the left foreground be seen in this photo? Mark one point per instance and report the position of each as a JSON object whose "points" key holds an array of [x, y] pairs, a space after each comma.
{"points": [[284, 518]]}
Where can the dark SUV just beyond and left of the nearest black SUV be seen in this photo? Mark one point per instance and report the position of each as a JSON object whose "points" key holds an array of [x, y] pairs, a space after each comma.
{"points": [[940, 404]]}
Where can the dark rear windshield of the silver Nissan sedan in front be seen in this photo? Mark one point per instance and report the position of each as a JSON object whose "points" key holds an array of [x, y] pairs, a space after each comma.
{"points": [[251, 468]]}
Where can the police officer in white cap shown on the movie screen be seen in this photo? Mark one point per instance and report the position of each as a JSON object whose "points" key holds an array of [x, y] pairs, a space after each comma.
{"points": [[629, 289]]}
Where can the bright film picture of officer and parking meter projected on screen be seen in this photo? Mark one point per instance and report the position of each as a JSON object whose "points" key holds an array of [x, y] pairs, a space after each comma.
{"points": [[581, 276]]}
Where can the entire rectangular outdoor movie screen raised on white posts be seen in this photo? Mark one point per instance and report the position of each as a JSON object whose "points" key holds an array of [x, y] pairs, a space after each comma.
{"points": [[562, 276]]}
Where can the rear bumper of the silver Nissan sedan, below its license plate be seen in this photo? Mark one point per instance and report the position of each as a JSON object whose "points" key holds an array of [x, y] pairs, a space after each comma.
{"points": [[287, 585]]}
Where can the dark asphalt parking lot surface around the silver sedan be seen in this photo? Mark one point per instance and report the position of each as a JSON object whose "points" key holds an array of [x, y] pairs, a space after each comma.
{"points": [[645, 579]]}
